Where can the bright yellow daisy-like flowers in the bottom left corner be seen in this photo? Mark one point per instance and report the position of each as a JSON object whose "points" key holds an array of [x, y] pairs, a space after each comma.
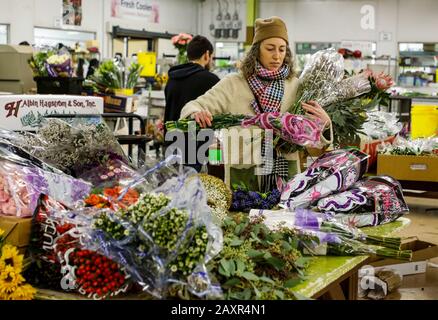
{"points": [[12, 282]]}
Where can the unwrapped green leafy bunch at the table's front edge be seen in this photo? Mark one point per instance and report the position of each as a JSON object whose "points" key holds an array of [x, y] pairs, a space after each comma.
{"points": [[257, 263]]}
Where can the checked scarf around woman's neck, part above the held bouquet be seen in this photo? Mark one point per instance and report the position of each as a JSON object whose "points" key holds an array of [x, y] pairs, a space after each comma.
{"points": [[268, 88]]}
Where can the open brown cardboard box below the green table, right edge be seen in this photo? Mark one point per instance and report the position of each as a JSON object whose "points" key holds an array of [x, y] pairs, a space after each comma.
{"points": [[422, 251]]}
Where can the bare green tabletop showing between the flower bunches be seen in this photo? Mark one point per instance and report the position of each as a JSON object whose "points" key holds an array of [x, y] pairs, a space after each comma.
{"points": [[323, 271]]}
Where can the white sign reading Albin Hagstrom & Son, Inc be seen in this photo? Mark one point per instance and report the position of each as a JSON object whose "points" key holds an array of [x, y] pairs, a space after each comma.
{"points": [[25, 112]]}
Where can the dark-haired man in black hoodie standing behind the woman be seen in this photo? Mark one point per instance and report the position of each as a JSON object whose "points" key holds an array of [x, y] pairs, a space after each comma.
{"points": [[190, 80]]}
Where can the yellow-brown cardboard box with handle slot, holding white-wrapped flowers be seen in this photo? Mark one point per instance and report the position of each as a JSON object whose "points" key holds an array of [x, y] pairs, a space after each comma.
{"points": [[411, 168]]}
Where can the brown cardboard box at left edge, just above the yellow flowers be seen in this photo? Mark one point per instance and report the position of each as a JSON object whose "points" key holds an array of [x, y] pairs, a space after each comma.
{"points": [[17, 231]]}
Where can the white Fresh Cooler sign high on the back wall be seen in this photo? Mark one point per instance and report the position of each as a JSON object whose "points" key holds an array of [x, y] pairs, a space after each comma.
{"points": [[140, 9]]}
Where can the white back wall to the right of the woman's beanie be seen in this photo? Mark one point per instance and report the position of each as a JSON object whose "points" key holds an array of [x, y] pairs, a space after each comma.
{"points": [[323, 21]]}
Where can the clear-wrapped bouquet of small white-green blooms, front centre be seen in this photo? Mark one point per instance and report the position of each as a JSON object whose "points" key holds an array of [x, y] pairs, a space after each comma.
{"points": [[175, 235]]}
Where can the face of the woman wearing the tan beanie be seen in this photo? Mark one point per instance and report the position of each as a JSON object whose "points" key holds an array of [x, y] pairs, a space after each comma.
{"points": [[272, 53]]}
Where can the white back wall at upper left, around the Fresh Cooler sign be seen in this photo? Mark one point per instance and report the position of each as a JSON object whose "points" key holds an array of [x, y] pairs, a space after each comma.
{"points": [[175, 16]]}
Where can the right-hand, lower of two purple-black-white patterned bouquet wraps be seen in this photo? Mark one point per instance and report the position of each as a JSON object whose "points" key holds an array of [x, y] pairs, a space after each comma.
{"points": [[379, 199]]}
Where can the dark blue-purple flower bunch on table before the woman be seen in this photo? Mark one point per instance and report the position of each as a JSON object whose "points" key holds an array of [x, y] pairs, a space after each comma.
{"points": [[245, 200]]}
